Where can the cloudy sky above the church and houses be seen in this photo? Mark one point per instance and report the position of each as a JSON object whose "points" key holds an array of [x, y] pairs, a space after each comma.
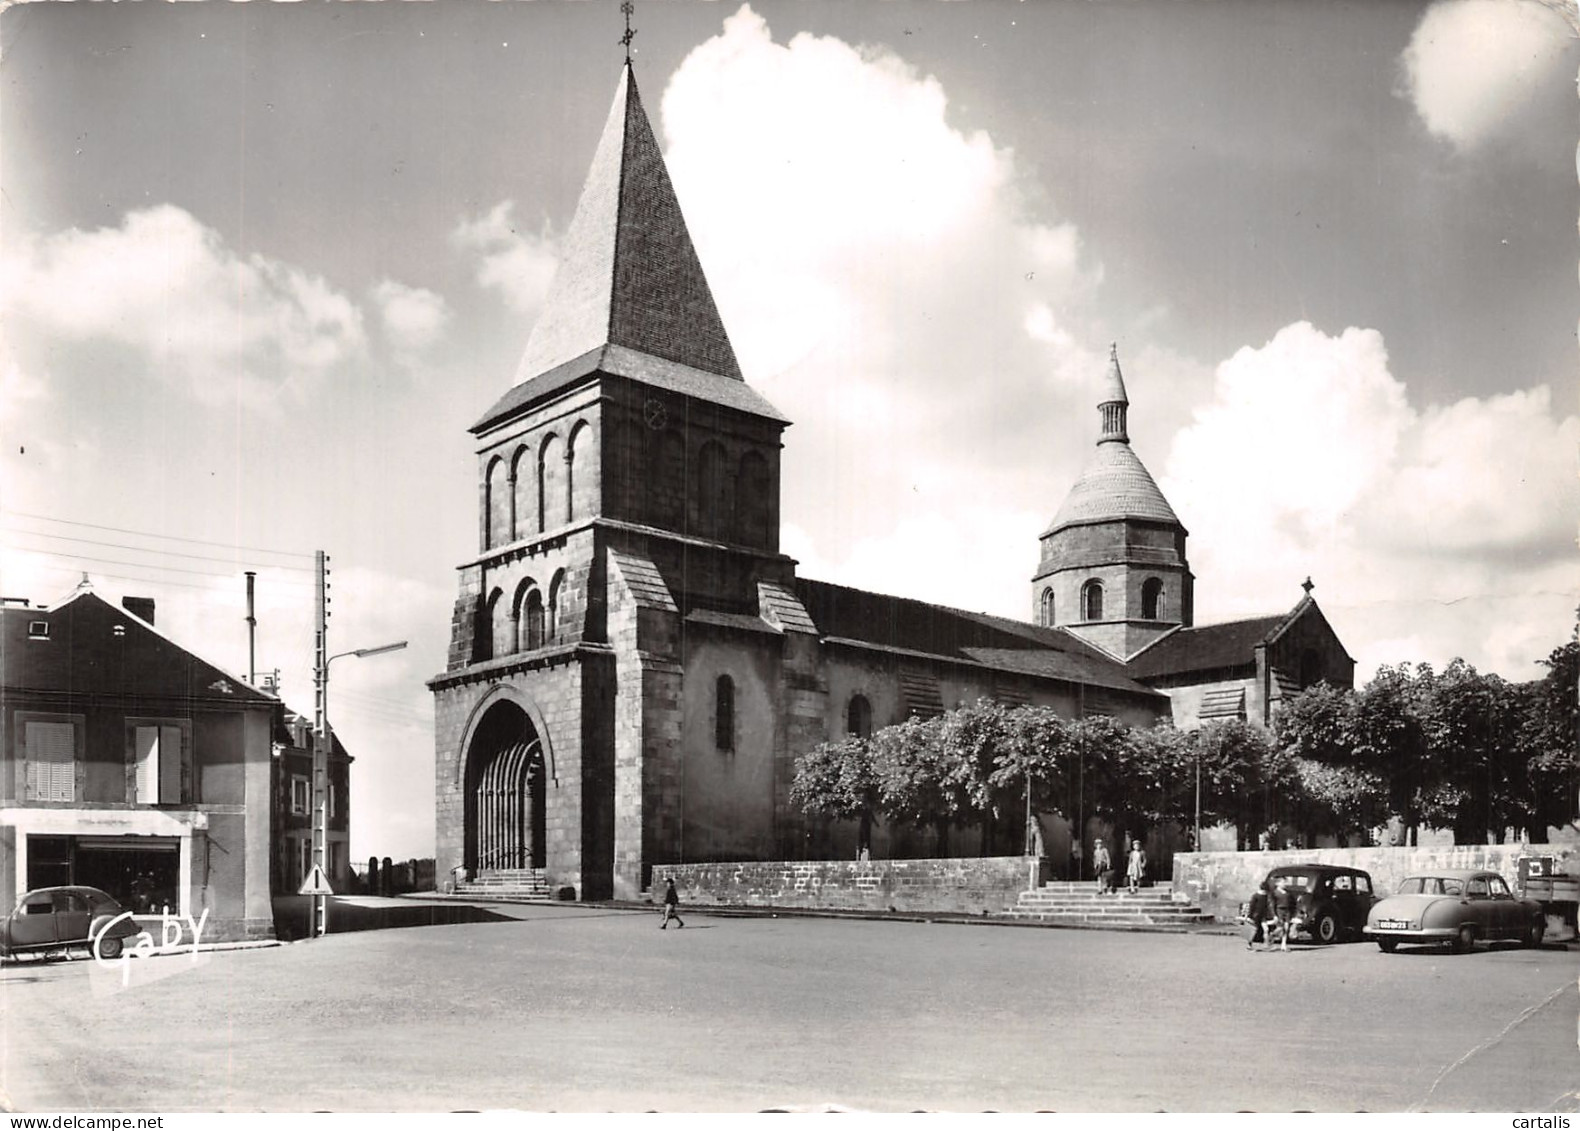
{"points": [[261, 266]]}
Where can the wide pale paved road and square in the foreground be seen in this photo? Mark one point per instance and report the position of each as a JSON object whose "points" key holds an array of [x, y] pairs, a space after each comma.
{"points": [[595, 1010]]}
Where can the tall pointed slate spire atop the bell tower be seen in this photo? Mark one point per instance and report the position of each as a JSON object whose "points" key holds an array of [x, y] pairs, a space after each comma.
{"points": [[630, 276]]}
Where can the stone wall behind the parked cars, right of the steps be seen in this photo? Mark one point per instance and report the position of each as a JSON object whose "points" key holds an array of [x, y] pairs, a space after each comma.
{"points": [[1219, 882]]}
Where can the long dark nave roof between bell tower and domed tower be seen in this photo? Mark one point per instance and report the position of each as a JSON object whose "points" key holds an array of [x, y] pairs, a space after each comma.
{"points": [[952, 634]]}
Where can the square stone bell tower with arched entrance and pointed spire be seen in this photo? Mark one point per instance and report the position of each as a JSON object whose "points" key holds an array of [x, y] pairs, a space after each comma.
{"points": [[630, 476]]}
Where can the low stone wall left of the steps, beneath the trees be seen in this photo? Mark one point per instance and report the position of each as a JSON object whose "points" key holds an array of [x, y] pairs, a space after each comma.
{"points": [[979, 885]]}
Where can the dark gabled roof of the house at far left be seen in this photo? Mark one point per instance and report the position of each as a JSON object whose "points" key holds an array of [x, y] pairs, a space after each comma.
{"points": [[85, 655]]}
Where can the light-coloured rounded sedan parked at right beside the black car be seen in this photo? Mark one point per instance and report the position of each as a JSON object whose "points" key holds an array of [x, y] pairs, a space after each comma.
{"points": [[1456, 907]]}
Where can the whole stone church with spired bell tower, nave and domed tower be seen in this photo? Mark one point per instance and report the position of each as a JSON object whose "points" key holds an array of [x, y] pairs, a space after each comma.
{"points": [[634, 666]]}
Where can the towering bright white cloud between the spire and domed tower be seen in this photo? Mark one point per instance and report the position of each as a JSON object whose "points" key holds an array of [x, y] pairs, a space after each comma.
{"points": [[886, 279]]}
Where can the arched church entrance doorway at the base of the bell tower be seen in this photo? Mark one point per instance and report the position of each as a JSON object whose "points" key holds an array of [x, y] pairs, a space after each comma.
{"points": [[505, 794]]}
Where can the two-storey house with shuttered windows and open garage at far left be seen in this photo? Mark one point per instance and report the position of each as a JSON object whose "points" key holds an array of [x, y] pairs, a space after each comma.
{"points": [[132, 765]]}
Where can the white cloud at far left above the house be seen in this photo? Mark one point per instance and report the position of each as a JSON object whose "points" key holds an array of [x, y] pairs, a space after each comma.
{"points": [[167, 287]]}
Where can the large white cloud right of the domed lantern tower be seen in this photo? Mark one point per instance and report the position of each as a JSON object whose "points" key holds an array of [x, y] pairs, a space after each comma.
{"points": [[1432, 533]]}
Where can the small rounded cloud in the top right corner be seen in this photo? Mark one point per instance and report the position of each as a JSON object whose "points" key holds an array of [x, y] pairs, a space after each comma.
{"points": [[1475, 64]]}
